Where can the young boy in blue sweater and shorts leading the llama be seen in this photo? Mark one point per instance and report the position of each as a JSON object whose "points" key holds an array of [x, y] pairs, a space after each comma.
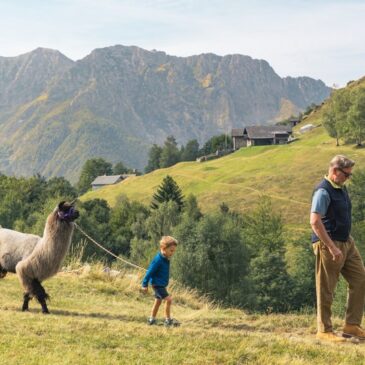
{"points": [[158, 275]]}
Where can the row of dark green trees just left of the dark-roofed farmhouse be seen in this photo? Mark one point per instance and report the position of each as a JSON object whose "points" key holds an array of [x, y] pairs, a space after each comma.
{"points": [[169, 154]]}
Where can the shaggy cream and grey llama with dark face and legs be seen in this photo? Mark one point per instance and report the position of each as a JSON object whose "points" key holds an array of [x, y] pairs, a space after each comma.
{"points": [[35, 259]]}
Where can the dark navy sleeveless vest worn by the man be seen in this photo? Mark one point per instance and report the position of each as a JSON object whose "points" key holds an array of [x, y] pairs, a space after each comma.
{"points": [[337, 219]]}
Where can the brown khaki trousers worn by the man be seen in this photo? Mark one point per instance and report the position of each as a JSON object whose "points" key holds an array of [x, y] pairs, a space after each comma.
{"points": [[327, 275]]}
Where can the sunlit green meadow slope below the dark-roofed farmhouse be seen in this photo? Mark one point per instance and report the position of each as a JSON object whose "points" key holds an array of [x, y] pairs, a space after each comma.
{"points": [[286, 173]]}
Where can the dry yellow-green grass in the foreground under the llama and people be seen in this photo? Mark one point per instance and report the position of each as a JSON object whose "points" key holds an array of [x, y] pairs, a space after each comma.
{"points": [[101, 320]]}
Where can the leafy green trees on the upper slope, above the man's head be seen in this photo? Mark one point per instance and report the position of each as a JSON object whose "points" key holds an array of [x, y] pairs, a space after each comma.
{"points": [[344, 115]]}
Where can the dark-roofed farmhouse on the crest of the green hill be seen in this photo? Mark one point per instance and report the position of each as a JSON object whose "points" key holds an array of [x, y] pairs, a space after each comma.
{"points": [[260, 135]]}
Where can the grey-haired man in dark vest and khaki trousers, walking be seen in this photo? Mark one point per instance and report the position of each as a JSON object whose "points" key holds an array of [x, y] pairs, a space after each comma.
{"points": [[336, 252]]}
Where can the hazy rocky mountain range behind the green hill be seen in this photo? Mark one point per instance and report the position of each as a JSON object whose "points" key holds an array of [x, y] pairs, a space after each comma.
{"points": [[116, 102]]}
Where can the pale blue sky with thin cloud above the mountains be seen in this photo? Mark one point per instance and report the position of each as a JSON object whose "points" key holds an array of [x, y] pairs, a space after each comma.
{"points": [[323, 39]]}
